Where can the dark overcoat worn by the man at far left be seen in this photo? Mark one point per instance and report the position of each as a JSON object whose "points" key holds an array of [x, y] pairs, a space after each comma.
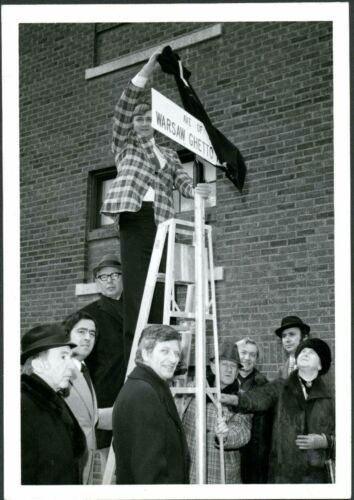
{"points": [[52, 442]]}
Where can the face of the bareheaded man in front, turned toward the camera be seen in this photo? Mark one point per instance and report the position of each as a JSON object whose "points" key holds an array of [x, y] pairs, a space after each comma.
{"points": [[164, 358]]}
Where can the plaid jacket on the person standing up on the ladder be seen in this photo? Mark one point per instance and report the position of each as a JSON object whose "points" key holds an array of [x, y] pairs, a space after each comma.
{"points": [[137, 168]]}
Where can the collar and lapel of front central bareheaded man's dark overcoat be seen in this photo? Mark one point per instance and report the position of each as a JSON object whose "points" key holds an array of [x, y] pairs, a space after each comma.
{"points": [[144, 372]]}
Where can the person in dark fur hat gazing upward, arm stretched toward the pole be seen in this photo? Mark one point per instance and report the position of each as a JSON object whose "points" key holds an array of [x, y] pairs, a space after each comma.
{"points": [[303, 428]]}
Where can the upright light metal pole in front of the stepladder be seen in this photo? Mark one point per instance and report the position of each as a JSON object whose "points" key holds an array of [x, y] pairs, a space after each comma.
{"points": [[200, 340]]}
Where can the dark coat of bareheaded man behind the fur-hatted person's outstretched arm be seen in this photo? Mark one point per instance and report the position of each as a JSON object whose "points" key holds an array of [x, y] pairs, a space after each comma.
{"points": [[255, 454]]}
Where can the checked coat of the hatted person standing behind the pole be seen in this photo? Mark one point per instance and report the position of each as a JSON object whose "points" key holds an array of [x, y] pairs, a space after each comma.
{"points": [[239, 434]]}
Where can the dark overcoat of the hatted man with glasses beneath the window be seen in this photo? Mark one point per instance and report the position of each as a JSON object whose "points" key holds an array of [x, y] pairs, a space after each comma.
{"points": [[106, 362]]}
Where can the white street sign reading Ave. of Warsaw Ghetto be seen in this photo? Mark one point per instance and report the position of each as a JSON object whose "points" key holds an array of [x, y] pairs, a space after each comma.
{"points": [[177, 124]]}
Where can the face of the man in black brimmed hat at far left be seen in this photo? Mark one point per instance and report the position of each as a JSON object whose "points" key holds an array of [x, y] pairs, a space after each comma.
{"points": [[56, 367]]}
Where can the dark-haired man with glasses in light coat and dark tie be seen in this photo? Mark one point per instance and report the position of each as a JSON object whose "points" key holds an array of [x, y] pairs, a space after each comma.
{"points": [[81, 396]]}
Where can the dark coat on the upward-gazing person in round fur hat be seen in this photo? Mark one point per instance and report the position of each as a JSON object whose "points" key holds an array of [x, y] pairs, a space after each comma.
{"points": [[294, 415]]}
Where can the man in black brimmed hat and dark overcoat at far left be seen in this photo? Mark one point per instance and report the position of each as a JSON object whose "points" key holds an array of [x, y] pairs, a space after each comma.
{"points": [[52, 442]]}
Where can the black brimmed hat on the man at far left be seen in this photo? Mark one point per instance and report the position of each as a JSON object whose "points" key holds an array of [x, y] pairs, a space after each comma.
{"points": [[43, 337]]}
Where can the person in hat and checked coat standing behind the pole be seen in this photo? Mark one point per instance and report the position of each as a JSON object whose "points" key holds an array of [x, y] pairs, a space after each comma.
{"points": [[233, 428]]}
